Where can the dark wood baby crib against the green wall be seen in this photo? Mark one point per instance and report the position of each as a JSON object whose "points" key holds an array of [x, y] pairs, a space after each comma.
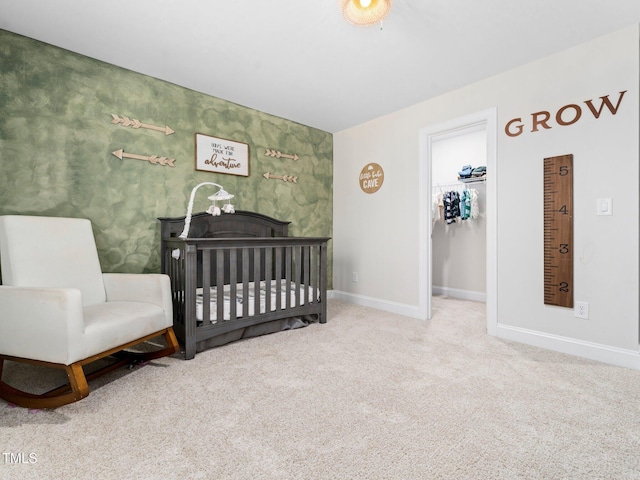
{"points": [[240, 275]]}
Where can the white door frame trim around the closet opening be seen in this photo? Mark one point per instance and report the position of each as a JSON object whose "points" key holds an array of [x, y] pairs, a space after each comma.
{"points": [[488, 118]]}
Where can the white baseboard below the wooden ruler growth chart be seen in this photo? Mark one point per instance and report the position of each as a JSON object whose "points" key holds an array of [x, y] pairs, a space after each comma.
{"points": [[580, 348]]}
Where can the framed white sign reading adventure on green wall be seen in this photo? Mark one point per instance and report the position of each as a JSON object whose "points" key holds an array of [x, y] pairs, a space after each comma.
{"points": [[220, 155]]}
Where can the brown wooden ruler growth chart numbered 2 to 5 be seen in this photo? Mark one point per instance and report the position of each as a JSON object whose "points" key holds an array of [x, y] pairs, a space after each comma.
{"points": [[558, 231]]}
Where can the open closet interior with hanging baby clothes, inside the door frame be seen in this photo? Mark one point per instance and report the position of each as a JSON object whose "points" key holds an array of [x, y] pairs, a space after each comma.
{"points": [[458, 213]]}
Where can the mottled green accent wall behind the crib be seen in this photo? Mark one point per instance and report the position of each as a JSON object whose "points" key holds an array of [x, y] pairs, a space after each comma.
{"points": [[57, 139]]}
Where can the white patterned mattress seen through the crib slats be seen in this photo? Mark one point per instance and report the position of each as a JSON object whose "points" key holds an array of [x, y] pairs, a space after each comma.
{"points": [[254, 307]]}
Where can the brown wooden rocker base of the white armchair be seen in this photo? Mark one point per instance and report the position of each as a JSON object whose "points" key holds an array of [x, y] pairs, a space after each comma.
{"points": [[78, 387]]}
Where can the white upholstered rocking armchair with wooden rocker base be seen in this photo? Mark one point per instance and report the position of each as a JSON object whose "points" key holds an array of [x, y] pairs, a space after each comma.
{"points": [[58, 309]]}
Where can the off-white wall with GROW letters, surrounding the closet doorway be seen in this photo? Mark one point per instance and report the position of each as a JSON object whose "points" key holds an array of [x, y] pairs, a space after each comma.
{"points": [[377, 235]]}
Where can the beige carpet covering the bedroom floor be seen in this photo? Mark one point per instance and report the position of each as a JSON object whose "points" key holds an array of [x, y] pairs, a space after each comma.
{"points": [[369, 395]]}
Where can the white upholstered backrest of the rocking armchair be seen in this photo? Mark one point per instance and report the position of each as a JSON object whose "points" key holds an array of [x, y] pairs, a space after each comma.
{"points": [[51, 252]]}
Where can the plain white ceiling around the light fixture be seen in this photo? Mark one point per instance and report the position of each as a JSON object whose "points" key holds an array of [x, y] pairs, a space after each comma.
{"points": [[299, 59]]}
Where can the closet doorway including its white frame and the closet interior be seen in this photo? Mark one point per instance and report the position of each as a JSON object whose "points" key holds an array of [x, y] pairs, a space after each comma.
{"points": [[458, 247]]}
